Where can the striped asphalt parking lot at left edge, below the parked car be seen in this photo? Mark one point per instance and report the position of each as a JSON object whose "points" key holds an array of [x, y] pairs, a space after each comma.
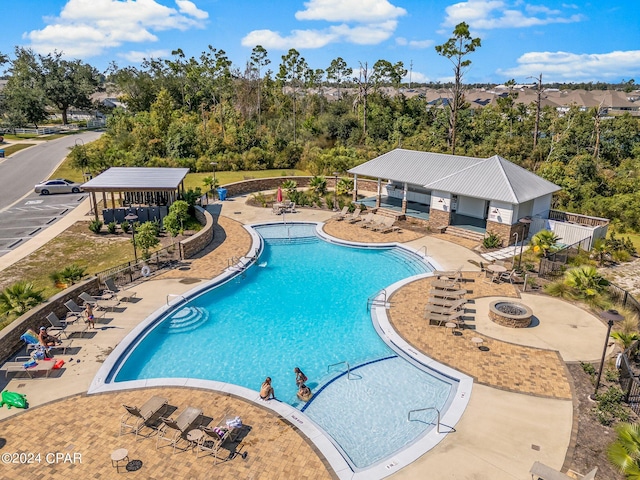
{"points": [[31, 215]]}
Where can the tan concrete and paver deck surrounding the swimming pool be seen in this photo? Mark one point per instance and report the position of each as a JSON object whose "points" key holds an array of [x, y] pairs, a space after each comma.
{"points": [[504, 430]]}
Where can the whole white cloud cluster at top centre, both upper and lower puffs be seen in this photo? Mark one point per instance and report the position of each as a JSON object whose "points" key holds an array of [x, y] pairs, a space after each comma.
{"points": [[363, 22]]}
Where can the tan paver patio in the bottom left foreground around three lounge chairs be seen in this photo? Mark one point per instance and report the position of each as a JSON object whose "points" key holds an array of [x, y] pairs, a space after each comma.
{"points": [[87, 427]]}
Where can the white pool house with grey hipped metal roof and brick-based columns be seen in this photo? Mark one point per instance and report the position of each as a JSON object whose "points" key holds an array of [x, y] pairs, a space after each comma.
{"points": [[469, 196]]}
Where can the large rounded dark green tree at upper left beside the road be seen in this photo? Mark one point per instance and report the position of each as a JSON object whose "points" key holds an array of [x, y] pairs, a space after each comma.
{"points": [[67, 83]]}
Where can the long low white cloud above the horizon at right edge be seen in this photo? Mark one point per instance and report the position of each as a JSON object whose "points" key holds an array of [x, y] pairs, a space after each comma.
{"points": [[566, 66]]}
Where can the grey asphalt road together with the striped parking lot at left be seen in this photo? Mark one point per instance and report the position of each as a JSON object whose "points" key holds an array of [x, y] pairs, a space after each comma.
{"points": [[24, 213]]}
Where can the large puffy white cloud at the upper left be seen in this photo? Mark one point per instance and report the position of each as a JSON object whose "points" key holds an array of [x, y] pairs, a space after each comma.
{"points": [[87, 28]]}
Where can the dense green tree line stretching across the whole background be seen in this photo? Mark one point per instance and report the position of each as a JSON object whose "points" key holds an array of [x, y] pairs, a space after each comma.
{"points": [[194, 111]]}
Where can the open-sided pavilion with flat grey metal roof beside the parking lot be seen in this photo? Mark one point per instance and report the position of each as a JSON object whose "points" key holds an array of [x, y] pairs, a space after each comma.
{"points": [[137, 186]]}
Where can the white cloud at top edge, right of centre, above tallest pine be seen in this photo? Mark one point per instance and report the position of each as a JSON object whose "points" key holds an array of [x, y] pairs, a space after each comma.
{"points": [[492, 14]]}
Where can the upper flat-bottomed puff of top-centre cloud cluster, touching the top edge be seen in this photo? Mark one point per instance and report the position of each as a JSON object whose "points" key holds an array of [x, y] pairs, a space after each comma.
{"points": [[361, 11]]}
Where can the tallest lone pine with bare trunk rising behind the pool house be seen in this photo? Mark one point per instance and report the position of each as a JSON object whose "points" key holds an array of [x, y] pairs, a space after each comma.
{"points": [[456, 49]]}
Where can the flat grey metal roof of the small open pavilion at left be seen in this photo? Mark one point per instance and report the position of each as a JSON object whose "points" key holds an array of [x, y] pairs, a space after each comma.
{"points": [[120, 179]]}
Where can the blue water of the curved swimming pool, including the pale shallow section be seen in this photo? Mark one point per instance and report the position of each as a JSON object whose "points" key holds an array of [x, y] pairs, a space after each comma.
{"points": [[304, 304]]}
